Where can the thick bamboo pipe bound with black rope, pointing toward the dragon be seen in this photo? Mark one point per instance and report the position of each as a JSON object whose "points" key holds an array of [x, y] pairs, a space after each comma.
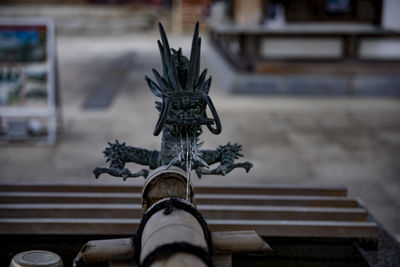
{"points": [[172, 235]]}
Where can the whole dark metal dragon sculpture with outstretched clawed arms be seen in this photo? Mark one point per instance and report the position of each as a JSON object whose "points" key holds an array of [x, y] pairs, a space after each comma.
{"points": [[184, 100]]}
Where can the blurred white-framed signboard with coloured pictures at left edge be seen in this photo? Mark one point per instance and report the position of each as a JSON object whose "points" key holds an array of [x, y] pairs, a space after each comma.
{"points": [[27, 79]]}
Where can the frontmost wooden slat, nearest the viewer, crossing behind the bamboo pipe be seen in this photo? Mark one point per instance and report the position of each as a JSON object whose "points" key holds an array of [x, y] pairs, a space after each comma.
{"points": [[265, 228]]}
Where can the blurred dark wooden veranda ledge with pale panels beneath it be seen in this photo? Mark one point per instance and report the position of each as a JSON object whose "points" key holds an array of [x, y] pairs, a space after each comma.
{"points": [[246, 47]]}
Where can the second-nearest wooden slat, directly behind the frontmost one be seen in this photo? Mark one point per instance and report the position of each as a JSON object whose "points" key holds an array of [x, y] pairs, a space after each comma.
{"points": [[226, 212]]}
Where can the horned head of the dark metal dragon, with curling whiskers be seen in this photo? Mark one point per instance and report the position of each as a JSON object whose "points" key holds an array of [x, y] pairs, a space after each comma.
{"points": [[184, 93]]}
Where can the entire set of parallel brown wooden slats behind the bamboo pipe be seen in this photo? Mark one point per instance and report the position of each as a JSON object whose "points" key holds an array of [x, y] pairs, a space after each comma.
{"points": [[283, 211]]}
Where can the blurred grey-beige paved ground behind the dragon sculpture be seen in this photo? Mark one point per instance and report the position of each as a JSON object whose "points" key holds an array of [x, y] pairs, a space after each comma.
{"points": [[353, 142]]}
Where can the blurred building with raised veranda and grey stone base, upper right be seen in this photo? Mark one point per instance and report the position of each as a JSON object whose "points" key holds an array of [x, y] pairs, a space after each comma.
{"points": [[311, 47]]}
